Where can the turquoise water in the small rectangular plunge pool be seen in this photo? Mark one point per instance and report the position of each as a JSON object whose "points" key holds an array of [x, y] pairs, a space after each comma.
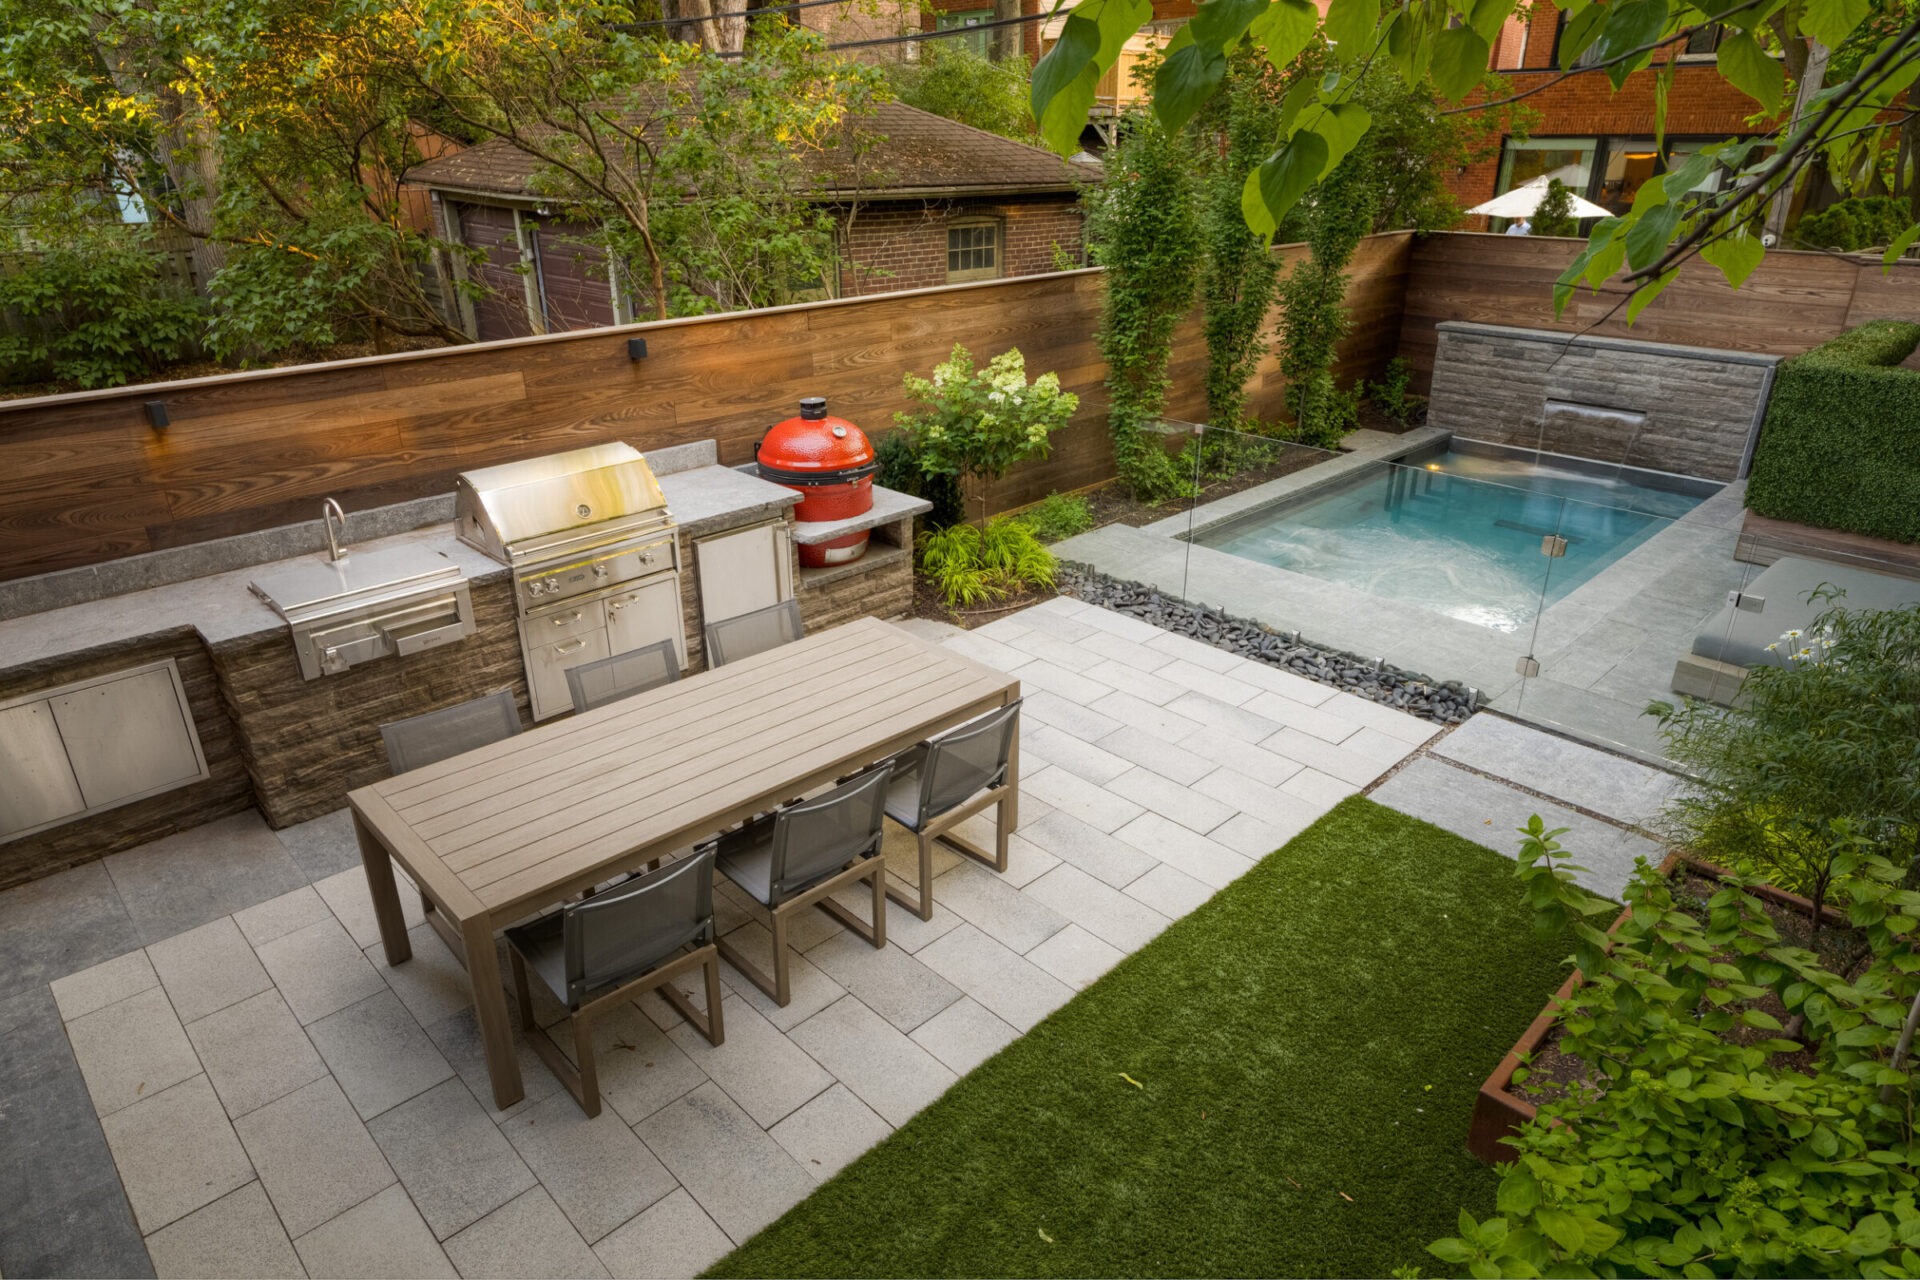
{"points": [[1460, 533]]}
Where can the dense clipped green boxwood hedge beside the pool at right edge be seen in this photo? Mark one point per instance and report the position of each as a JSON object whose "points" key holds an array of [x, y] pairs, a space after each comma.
{"points": [[1842, 440]]}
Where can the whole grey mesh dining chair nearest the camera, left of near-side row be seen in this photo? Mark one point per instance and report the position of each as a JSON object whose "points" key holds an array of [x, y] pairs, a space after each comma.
{"points": [[617, 945]]}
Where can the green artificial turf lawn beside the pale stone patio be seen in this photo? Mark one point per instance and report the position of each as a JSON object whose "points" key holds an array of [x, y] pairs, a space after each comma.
{"points": [[1307, 1047]]}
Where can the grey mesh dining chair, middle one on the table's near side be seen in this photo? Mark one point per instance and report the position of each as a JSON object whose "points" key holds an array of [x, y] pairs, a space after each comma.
{"points": [[804, 853]]}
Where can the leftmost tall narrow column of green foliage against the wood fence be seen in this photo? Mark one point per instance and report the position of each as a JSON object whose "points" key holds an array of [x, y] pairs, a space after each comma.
{"points": [[1143, 227]]}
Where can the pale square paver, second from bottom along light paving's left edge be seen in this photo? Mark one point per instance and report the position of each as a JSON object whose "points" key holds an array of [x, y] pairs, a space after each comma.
{"points": [[176, 1152]]}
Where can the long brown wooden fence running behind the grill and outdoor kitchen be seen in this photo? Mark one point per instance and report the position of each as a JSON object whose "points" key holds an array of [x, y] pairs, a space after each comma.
{"points": [[85, 479]]}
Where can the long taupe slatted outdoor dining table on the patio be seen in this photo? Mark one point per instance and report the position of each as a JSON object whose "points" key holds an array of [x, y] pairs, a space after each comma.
{"points": [[496, 836]]}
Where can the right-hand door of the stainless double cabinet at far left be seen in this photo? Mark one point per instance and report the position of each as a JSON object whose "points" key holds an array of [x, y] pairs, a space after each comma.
{"points": [[128, 738]]}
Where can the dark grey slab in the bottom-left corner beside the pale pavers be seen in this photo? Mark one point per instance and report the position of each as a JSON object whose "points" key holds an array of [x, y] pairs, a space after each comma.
{"points": [[62, 1206]]}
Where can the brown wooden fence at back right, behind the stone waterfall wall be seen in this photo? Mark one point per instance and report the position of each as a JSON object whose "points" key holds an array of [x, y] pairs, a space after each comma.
{"points": [[1794, 300]]}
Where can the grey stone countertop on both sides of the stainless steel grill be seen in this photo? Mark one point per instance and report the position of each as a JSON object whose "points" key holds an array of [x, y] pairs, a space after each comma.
{"points": [[224, 609]]}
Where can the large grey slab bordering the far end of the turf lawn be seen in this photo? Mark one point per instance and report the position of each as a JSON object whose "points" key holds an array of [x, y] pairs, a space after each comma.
{"points": [[1489, 815]]}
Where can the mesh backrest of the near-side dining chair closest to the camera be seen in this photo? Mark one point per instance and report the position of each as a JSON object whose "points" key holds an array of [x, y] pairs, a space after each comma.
{"points": [[625, 932]]}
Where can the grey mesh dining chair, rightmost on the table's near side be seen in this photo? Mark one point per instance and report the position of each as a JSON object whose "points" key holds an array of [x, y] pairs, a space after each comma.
{"points": [[944, 782]]}
